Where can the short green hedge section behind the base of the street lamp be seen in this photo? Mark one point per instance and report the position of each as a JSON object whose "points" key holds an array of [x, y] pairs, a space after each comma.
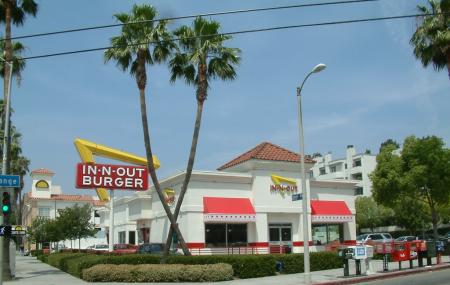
{"points": [[293, 263]]}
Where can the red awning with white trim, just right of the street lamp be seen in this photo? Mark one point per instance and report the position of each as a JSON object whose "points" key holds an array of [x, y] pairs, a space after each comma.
{"points": [[330, 211]]}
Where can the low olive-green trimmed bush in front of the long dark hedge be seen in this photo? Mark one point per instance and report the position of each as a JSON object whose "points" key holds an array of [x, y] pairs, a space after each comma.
{"points": [[158, 273]]}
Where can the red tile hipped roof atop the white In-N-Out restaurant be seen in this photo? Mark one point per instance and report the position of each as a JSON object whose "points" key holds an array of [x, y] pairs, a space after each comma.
{"points": [[266, 151]]}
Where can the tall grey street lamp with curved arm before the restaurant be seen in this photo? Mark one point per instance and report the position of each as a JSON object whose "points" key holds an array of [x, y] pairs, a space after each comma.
{"points": [[305, 197]]}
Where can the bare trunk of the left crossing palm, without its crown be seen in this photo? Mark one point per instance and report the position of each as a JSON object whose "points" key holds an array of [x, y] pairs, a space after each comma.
{"points": [[151, 168]]}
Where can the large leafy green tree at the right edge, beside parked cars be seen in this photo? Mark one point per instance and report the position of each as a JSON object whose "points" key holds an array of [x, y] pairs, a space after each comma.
{"points": [[421, 172]]}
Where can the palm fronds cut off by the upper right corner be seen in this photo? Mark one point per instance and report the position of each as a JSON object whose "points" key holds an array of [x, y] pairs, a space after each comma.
{"points": [[431, 40]]}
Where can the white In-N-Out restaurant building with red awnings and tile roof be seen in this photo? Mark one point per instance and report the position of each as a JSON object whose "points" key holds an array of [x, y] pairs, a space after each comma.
{"points": [[246, 206]]}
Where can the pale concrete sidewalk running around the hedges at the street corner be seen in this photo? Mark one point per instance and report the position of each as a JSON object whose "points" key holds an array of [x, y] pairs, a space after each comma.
{"points": [[30, 271]]}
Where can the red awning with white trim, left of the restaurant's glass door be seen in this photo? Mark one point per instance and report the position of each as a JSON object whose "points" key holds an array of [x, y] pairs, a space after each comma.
{"points": [[220, 209]]}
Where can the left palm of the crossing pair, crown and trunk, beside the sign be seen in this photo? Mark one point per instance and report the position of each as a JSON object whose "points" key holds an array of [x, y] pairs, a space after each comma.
{"points": [[138, 45]]}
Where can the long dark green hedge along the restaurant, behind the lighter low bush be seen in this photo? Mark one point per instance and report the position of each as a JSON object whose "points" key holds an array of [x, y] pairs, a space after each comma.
{"points": [[244, 266]]}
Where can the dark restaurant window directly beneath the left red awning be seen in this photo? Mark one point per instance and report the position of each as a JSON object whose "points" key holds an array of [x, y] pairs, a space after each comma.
{"points": [[225, 235]]}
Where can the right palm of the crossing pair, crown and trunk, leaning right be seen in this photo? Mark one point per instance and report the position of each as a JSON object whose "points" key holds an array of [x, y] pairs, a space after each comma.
{"points": [[202, 57]]}
